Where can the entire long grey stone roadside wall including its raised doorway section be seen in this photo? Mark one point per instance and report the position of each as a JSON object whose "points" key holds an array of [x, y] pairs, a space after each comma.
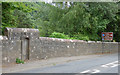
{"points": [[25, 44]]}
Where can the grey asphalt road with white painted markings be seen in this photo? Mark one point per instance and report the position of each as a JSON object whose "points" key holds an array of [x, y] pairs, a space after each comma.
{"points": [[102, 64]]}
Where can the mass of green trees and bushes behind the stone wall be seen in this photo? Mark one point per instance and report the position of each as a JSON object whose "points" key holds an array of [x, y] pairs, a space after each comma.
{"points": [[83, 21]]}
